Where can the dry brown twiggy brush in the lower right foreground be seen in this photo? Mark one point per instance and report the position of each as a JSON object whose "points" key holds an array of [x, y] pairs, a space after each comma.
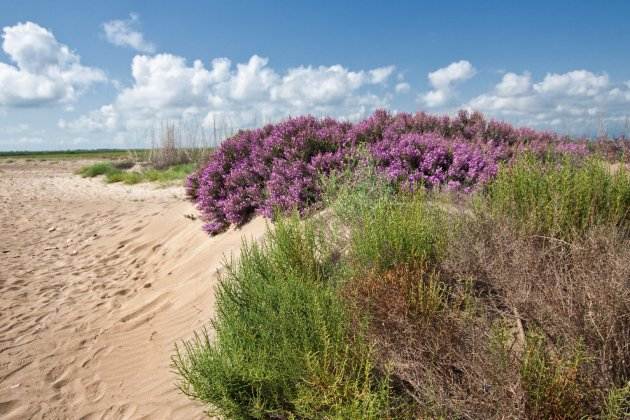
{"points": [[506, 325]]}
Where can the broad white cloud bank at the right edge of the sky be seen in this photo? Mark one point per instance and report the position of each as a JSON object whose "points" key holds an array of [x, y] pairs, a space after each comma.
{"points": [[568, 101]]}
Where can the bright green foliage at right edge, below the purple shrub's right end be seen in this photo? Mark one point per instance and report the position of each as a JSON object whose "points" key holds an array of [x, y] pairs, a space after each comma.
{"points": [[560, 199]]}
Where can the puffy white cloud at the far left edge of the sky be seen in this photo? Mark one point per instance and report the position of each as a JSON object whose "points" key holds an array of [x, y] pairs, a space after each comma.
{"points": [[45, 71]]}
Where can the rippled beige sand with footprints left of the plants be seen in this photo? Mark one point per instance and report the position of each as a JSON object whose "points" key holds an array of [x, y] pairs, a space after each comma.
{"points": [[97, 283]]}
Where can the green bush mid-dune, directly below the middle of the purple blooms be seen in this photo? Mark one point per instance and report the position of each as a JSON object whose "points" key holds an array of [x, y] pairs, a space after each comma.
{"points": [[387, 228]]}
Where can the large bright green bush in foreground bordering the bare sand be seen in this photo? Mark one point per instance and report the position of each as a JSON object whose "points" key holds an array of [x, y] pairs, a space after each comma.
{"points": [[283, 346]]}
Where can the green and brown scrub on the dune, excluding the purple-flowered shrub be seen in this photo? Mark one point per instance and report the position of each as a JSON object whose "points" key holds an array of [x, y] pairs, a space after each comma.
{"points": [[512, 302]]}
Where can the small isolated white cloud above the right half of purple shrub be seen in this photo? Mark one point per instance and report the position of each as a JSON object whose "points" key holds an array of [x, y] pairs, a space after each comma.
{"points": [[443, 81]]}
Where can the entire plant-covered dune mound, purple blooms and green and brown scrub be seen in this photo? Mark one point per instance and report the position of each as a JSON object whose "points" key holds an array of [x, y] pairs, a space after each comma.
{"points": [[418, 267]]}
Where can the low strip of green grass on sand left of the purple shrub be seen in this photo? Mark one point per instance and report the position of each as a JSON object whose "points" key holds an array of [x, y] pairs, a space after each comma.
{"points": [[113, 174]]}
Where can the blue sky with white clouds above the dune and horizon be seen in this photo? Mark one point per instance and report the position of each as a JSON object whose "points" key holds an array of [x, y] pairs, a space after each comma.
{"points": [[78, 74]]}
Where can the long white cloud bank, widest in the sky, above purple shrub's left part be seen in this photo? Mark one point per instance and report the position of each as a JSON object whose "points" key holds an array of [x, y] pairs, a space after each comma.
{"points": [[165, 86]]}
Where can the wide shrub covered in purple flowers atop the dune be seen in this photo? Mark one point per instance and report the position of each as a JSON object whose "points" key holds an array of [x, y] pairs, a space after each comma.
{"points": [[278, 167]]}
